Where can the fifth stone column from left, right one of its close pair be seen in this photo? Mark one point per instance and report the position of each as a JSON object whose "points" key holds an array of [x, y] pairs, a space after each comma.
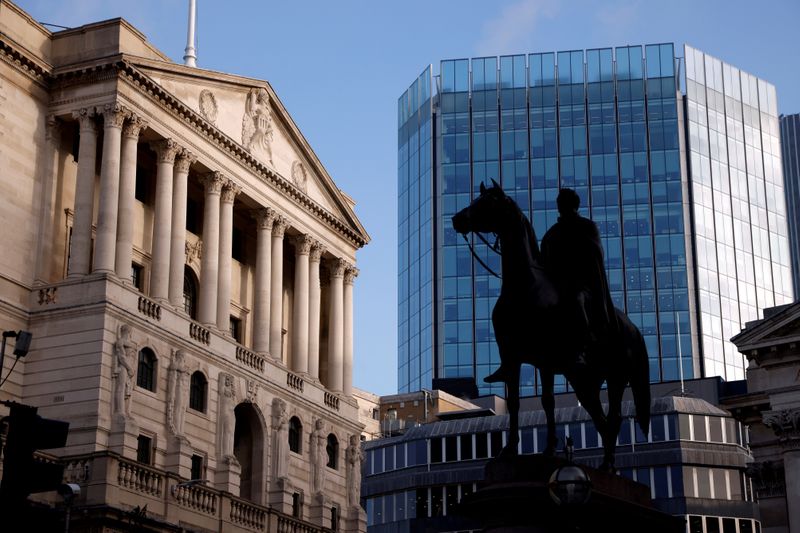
{"points": [[177, 248]]}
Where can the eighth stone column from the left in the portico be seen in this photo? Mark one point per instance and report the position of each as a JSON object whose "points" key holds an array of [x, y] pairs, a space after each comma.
{"points": [[261, 292]]}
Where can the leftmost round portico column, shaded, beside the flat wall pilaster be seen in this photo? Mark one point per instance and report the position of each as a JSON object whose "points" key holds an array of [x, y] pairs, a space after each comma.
{"points": [[81, 247]]}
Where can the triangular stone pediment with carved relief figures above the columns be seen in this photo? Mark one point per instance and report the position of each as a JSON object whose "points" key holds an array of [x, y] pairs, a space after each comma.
{"points": [[249, 112]]}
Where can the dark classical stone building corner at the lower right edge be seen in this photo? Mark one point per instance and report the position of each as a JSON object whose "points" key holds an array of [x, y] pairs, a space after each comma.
{"points": [[771, 408]]}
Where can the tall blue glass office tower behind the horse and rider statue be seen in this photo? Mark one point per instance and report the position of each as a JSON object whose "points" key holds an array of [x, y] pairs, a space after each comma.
{"points": [[676, 160]]}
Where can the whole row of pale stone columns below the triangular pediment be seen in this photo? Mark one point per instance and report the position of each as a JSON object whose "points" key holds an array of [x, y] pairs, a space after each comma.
{"points": [[113, 247]]}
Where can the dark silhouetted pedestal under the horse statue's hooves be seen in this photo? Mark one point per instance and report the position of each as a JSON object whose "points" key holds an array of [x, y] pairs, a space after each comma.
{"points": [[515, 496]]}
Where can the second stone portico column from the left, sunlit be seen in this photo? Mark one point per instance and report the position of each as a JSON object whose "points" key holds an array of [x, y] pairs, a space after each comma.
{"points": [[107, 211]]}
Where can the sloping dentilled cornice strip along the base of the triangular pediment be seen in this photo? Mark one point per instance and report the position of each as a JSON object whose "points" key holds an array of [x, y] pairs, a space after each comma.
{"points": [[194, 120]]}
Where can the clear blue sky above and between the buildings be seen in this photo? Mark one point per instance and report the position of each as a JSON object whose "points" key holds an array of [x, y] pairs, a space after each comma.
{"points": [[339, 68]]}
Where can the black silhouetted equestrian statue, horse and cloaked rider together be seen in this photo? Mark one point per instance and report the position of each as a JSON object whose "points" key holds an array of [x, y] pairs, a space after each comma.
{"points": [[555, 313]]}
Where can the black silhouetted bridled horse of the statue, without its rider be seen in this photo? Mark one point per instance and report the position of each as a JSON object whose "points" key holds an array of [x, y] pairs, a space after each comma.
{"points": [[531, 327]]}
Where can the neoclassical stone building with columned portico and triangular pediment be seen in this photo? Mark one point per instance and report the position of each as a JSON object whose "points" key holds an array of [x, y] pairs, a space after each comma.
{"points": [[186, 267]]}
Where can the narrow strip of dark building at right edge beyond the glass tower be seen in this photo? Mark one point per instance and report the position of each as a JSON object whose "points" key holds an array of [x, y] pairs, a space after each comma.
{"points": [[790, 146]]}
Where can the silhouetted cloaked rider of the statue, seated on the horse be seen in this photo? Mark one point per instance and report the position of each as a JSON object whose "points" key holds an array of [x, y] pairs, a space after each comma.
{"points": [[572, 254]]}
